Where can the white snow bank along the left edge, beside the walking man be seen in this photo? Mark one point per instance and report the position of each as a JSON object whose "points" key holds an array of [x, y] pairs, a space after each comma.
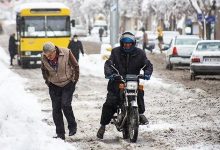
{"points": [[21, 127]]}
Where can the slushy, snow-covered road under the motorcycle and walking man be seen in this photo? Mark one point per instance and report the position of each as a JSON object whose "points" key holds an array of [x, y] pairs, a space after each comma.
{"points": [[183, 115]]}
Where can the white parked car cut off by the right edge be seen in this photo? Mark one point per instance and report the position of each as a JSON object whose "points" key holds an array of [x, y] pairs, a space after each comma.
{"points": [[205, 59]]}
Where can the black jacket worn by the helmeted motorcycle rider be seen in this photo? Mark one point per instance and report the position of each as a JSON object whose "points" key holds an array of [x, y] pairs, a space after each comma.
{"points": [[127, 63]]}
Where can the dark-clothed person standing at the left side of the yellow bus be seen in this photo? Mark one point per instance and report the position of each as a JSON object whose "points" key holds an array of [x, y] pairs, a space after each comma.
{"points": [[12, 48]]}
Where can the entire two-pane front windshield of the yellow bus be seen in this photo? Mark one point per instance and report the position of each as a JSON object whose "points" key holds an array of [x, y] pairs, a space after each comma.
{"points": [[50, 26]]}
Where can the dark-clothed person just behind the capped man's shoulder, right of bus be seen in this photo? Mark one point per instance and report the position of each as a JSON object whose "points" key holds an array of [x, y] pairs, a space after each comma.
{"points": [[75, 46]]}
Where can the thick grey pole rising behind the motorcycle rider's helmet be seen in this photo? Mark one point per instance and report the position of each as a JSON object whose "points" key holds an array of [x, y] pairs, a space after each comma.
{"points": [[114, 23]]}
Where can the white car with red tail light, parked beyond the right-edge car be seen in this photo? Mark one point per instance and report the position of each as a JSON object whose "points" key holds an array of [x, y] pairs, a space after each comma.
{"points": [[180, 50]]}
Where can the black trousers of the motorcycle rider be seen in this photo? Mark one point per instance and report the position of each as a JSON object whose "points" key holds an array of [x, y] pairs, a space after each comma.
{"points": [[111, 103]]}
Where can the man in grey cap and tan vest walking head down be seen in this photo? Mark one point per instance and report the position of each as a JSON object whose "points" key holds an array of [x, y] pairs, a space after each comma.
{"points": [[60, 71]]}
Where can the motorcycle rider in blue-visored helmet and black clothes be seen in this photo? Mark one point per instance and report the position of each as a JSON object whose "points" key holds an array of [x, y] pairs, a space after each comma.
{"points": [[127, 59]]}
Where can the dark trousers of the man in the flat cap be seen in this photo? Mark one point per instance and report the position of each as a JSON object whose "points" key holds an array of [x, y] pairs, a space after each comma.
{"points": [[61, 101]]}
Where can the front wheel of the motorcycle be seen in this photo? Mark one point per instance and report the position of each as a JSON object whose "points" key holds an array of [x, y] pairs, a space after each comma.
{"points": [[133, 124]]}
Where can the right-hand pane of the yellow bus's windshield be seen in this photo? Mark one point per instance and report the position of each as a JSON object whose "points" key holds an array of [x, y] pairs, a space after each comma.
{"points": [[58, 26]]}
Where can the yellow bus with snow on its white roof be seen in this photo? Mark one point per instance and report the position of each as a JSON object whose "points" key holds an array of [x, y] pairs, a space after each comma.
{"points": [[37, 23]]}
